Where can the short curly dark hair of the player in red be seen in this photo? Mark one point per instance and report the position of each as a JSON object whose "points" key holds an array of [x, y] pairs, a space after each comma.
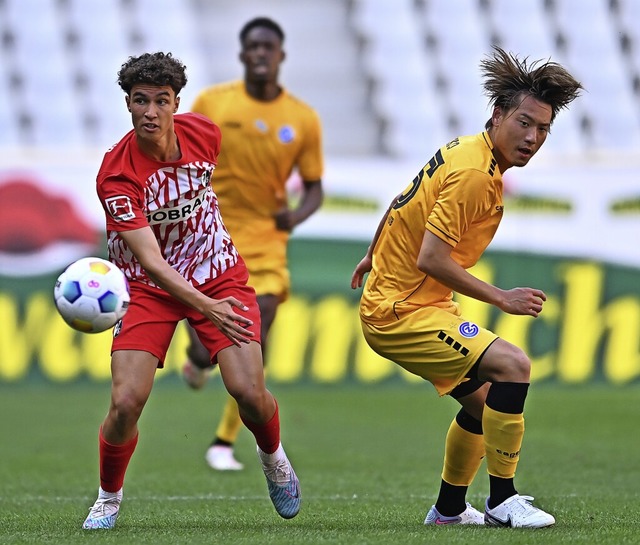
{"points": [[152, 69]]}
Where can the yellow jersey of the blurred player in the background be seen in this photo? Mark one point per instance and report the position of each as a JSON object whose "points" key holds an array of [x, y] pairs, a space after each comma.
{"points": [[262, 143]]}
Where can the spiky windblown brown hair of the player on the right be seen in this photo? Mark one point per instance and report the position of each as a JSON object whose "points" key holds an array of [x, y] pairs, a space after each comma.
{"points": [[508, 80]]}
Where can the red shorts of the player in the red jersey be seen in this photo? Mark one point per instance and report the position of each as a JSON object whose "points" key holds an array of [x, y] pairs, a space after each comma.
{"points": [[153, 315]]}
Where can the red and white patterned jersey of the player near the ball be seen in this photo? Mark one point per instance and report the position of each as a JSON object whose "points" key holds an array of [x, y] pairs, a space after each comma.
{"points": [[175, 199]]}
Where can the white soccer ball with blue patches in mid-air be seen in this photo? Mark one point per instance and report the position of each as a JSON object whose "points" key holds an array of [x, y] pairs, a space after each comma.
{"points": [[91, 295]]}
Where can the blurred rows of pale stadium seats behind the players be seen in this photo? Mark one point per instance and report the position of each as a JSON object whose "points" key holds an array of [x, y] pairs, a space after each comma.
{"points": [[422, 54]]}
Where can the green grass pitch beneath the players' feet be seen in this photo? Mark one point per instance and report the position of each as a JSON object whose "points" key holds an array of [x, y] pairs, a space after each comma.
{"points": [[369, 461]]}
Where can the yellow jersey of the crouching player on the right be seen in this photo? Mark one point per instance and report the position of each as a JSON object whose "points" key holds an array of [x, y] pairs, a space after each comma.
{"points": [[458, 197]]}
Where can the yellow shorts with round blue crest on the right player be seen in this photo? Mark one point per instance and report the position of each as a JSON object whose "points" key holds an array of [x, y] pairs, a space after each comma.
{"points": [[435, 344]]}
